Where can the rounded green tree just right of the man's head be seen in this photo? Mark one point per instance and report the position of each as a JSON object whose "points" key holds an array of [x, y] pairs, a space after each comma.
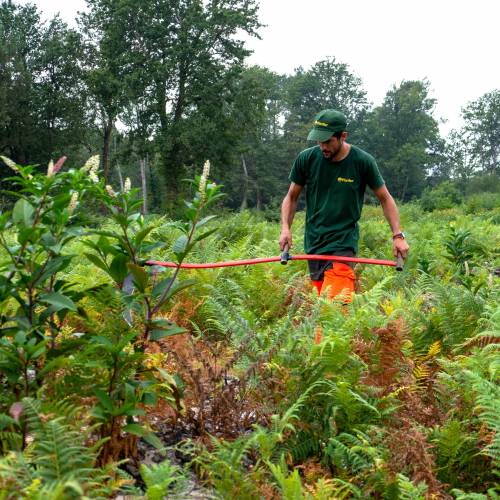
{"points": [[403, 136]]}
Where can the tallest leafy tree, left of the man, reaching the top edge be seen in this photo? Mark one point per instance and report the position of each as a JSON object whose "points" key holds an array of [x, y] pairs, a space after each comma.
{"points": [[189, 56]]}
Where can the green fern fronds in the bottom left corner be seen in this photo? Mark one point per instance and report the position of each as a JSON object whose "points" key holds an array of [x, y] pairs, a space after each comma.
{"points": [[58, 462]]}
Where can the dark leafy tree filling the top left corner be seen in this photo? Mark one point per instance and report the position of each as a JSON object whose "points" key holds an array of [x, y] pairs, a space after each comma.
{"points": [[42, 105]]}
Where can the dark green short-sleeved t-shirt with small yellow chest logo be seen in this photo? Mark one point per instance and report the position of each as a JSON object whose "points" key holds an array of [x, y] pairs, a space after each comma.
{"points": [[334, 197]]}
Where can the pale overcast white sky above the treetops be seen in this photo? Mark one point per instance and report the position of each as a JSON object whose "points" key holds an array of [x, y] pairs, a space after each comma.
{"points": [[452, 43]]}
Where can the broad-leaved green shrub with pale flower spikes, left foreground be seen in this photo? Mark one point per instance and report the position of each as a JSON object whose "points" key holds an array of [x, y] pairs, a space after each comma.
{"points": [[38, 302]]}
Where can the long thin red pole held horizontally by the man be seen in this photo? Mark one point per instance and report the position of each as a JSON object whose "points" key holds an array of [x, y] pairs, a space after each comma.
{"points": [[247, 262]]}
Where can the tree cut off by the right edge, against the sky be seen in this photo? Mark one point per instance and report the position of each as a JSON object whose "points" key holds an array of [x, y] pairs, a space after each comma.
{"points": [[482, 130]]}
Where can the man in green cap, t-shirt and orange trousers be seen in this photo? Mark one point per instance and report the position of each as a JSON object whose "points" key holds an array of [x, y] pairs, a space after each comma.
{"points": [[335, 175]]}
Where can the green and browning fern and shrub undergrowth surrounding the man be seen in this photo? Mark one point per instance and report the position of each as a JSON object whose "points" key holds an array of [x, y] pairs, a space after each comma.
{"points": [[99, 354]]}
